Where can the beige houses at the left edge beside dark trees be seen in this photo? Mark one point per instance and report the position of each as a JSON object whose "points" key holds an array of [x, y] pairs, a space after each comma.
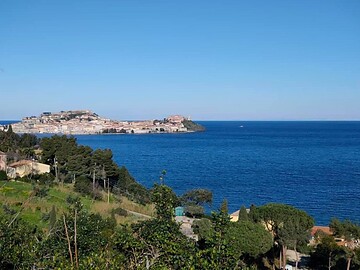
{"points": [[22, 168]]}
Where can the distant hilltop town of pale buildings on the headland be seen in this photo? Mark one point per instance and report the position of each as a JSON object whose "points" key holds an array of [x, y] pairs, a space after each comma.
{"points": [[88, 122]]}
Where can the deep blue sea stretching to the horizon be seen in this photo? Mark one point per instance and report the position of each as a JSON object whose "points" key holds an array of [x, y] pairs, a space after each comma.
{"points": [[314, 166]]}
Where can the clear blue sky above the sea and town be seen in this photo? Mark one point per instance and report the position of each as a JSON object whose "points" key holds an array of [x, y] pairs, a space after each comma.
{"points": [[211, 60]]}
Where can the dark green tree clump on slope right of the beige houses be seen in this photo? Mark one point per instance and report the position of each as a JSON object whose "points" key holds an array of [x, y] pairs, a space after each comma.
{"points": [[70, 160]]}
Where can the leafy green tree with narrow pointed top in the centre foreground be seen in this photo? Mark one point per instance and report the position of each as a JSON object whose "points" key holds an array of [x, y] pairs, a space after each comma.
{"points": [[165, 247]]}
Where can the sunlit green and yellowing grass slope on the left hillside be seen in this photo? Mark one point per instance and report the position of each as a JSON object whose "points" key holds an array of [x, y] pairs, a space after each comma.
{"points": [[17, 196]]}
